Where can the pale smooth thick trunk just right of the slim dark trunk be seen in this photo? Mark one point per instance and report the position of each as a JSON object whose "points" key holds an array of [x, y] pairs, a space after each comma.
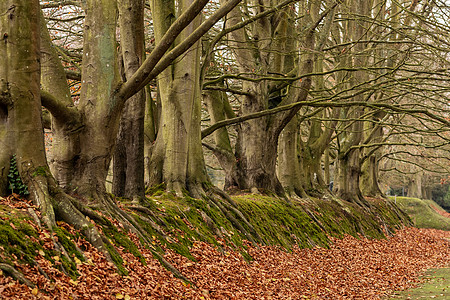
{"points": [[178, 146]]}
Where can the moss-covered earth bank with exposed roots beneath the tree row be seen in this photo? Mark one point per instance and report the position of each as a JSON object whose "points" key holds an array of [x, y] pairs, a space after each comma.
{"points": [[176, 223]]}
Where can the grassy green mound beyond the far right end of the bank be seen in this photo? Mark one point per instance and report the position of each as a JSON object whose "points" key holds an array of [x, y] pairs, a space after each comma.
{"points": [[422, 213]]}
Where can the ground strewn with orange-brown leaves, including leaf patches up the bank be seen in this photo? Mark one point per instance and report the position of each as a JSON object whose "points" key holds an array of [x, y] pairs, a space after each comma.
{"points": [[346, 267]]}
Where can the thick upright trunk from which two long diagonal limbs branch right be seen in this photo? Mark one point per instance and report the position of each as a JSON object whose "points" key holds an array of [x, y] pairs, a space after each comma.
{"points": [[97, 100]]}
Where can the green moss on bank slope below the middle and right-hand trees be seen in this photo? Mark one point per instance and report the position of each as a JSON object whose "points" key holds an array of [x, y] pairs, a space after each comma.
{"points": [[277, 222]]}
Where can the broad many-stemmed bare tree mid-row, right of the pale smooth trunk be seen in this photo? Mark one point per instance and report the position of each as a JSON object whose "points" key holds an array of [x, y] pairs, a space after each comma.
{"points": [[261, 50]]}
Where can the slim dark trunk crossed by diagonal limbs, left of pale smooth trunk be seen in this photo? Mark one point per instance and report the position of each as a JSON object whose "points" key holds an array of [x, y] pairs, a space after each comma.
{"points": [[128, 172]]}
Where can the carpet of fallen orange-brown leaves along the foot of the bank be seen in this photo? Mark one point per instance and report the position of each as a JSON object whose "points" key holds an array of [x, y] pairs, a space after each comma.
{"points": [[351, 269]]}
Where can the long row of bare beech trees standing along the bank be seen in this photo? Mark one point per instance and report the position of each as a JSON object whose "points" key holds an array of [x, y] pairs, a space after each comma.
{"points": [[296, 94]]}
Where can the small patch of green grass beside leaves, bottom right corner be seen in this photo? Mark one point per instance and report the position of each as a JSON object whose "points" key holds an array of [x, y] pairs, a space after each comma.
{"points": [[436, 286]]}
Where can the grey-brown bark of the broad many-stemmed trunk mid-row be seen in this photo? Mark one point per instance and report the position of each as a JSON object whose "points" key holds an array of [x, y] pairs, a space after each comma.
{"points": [[257, 142]]}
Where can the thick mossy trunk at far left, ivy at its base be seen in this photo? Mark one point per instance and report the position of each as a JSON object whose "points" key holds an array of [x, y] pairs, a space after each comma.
{"points": [[20, 95]]}
